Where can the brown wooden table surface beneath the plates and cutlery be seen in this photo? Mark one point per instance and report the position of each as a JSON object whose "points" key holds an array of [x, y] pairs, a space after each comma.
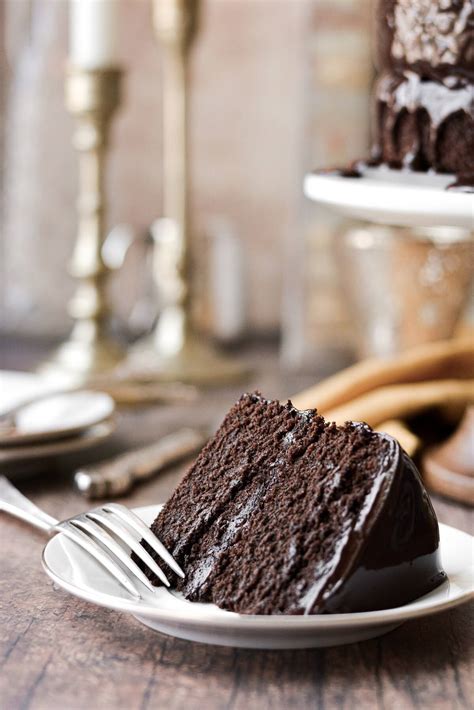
{"points": [[57, 651]]}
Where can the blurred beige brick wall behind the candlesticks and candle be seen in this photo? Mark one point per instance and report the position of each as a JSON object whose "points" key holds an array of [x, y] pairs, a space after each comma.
{"points": [[274, 93]]}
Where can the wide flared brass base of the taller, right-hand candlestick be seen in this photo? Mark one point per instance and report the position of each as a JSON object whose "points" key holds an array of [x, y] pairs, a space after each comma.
{"points": [[197, 362]]}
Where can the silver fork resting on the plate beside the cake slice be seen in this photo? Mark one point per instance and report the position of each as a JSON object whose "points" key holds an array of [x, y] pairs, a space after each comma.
{"points": [[108, 533]]}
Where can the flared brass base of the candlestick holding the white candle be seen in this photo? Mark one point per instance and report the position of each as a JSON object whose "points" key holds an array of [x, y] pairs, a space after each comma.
{"points": [[84, 356]]}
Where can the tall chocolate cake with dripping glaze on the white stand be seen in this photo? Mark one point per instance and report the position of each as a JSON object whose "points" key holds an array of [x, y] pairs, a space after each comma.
{"points": [[424, 96]]}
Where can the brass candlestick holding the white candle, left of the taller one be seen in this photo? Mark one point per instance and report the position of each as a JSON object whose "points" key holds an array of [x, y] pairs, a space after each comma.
{"points": [[92, 96]]}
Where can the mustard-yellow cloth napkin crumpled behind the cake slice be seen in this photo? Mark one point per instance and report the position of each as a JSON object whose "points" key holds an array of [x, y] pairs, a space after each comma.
{"points": [[382, 392]]}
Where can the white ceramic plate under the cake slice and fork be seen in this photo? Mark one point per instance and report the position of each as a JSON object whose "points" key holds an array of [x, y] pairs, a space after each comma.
{"points": [[73, 570]]}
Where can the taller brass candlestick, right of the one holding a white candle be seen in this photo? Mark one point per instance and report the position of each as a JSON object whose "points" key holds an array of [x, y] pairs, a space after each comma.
{"points": [[175, 351]]}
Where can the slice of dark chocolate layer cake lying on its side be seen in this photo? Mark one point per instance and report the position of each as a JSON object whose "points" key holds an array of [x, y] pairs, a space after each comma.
{"points": [[285, 513]]}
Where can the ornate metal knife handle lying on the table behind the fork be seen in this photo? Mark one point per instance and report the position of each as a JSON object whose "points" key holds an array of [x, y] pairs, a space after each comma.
{"points": [[117, 476]]}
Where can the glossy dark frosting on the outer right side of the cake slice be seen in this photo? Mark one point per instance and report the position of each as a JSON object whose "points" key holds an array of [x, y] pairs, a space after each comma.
{"points": [[394, 556]]}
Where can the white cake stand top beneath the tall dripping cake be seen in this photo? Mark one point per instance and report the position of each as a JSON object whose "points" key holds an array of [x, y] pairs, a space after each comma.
{"points": [[395, 197]]}
